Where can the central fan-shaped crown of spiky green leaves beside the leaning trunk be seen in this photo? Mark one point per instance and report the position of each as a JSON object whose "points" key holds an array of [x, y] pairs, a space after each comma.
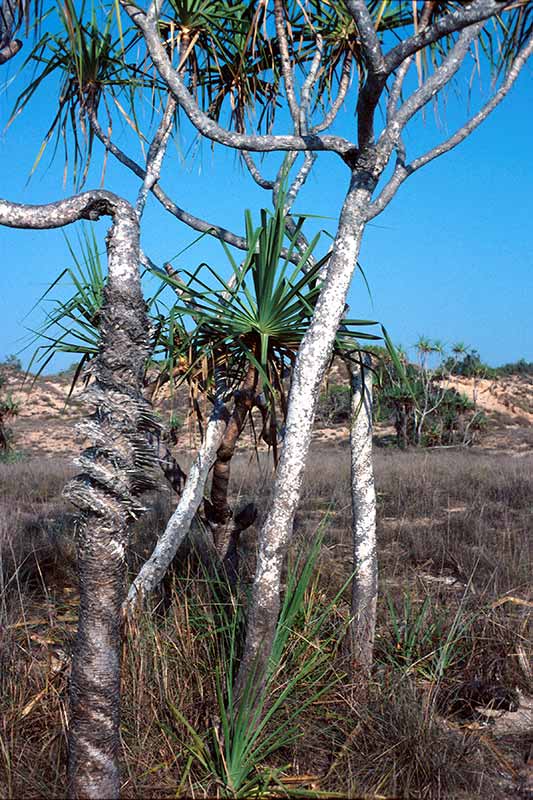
{"points": [[260, 316]]}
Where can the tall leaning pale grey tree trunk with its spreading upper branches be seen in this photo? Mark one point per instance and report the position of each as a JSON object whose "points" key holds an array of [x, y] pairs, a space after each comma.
{"points": [[367, 161]]}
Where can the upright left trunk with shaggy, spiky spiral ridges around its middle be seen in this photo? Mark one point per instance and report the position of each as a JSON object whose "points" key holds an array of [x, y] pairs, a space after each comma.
{"points": [[115, 469]]}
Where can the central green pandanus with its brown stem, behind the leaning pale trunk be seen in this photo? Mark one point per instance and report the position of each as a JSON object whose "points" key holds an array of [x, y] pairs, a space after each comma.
{"points": [[247, 333]]}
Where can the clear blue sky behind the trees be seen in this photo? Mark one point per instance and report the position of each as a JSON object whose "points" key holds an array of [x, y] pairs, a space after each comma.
{"points": [[451, 257]]}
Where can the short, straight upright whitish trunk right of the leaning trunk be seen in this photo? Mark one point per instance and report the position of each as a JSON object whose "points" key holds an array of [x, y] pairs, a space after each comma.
{"points": [[365, 564]]}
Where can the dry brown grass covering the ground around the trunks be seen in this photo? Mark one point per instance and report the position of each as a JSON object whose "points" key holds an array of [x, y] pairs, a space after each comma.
{"points": [[454, 539]]}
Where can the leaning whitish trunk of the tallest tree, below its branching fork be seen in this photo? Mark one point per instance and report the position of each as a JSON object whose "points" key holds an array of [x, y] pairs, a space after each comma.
{"points": [[310, 367]]}
